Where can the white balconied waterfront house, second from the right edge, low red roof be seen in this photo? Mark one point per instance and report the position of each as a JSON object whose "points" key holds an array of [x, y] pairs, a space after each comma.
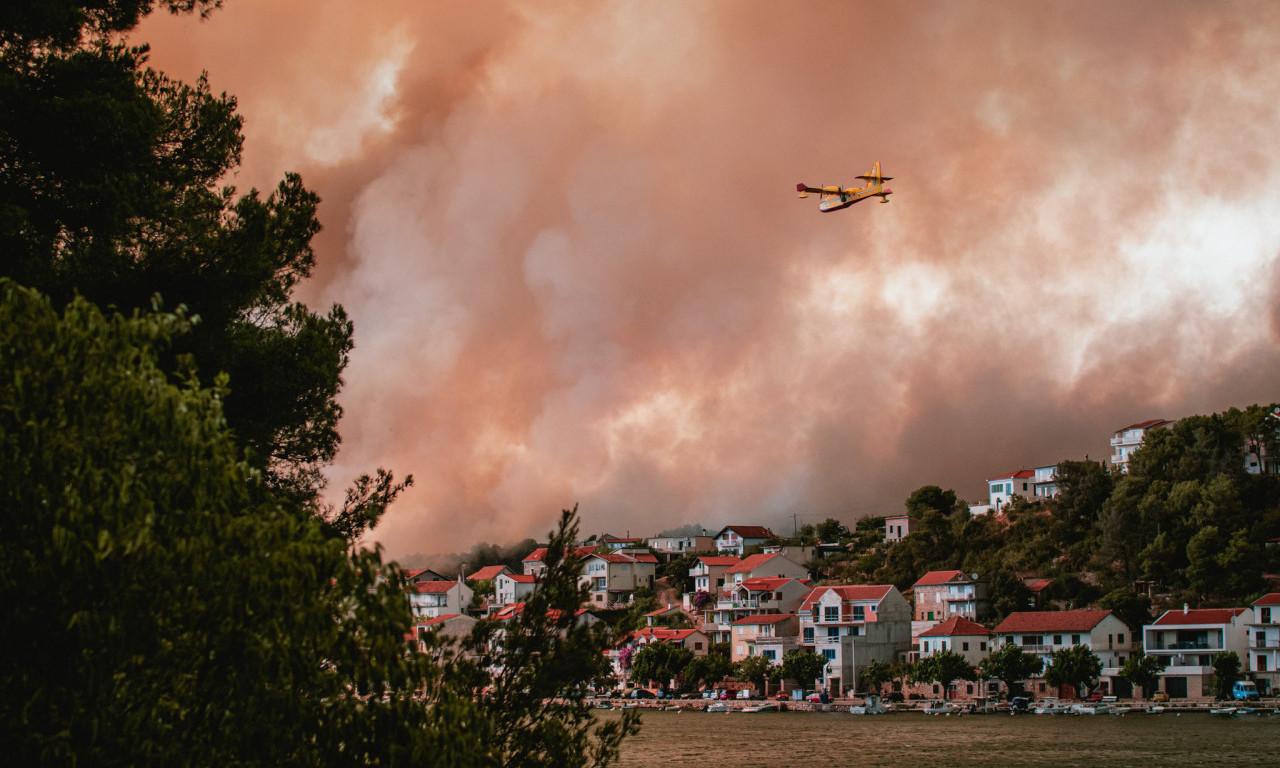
{"points": [[1186, 642]]}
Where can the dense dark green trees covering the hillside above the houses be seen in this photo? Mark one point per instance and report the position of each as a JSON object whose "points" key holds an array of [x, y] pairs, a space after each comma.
{"points": [[1187, 523]]}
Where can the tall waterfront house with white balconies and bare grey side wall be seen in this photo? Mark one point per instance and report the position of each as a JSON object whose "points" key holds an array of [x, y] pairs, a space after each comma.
{"points": [[851, 627]]}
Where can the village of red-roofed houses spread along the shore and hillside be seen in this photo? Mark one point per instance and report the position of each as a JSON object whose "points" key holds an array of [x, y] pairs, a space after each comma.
{"points": [[753, 597]]}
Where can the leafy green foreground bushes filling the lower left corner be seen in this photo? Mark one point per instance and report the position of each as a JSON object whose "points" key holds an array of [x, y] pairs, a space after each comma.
{"points": [[168, 607]]}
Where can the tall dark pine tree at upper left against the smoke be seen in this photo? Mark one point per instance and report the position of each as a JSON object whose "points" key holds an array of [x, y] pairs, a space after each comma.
{"points": [[111, 189]]}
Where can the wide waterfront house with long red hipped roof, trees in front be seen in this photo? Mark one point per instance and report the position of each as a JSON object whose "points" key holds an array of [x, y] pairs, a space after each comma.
{"points": [[1041, 633]]}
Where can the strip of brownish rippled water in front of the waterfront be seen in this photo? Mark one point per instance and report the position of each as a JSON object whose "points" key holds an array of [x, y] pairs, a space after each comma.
{"points": [[843, 739]]}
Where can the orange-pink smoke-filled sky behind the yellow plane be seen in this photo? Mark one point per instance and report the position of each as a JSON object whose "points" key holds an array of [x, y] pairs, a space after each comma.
{"points": [[570, 241]]}
